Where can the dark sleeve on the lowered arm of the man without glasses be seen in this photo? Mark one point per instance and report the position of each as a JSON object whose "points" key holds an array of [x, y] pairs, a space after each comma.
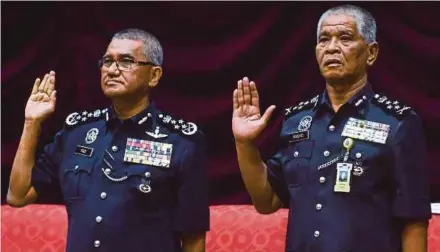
{"points": [[410, 170]]}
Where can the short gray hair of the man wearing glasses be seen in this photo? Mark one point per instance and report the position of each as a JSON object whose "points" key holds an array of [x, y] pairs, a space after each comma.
{"points": [[152, 48]]}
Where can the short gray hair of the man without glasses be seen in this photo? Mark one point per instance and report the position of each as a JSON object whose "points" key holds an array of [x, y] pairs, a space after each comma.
{"points": [[365, 22]]}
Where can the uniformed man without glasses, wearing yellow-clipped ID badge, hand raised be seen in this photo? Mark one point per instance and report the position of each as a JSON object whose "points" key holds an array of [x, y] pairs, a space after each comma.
{"points": [[350, 163]]}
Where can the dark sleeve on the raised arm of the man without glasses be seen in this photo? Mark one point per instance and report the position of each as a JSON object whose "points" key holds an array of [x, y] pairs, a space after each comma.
{"points": [[276, 178]]}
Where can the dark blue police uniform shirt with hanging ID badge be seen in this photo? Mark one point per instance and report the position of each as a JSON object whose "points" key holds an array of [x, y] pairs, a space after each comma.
{"points": [[355, 197]]}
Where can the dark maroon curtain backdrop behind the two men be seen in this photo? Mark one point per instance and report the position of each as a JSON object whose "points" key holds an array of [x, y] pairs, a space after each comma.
{"points": [[208, 46]]}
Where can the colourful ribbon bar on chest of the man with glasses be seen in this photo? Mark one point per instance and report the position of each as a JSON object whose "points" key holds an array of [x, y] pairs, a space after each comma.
{"points": [[148, 152]]}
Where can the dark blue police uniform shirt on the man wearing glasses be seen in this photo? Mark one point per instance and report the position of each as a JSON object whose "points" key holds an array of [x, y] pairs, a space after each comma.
{"points": [[129, 185]]}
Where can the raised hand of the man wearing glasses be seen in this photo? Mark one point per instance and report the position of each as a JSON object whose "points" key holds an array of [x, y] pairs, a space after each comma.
{"points": [[41, 103]]}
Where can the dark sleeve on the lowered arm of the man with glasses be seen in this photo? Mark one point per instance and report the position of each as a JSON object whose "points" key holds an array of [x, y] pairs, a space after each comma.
{"points": [[192, 211]]}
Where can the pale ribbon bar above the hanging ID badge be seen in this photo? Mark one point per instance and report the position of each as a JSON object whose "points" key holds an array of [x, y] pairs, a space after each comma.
{"points": [[366, 130]]}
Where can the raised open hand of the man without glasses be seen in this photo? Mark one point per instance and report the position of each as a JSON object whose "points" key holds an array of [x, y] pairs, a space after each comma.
{"points": [[247, 122]]}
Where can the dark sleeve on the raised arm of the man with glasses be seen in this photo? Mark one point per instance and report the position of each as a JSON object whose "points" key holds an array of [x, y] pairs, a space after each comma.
{"points": [[45, 177]]}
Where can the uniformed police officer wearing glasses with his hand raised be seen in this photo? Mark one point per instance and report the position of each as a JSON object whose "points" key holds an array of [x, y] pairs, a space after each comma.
{"points": [[133, 178]]}
